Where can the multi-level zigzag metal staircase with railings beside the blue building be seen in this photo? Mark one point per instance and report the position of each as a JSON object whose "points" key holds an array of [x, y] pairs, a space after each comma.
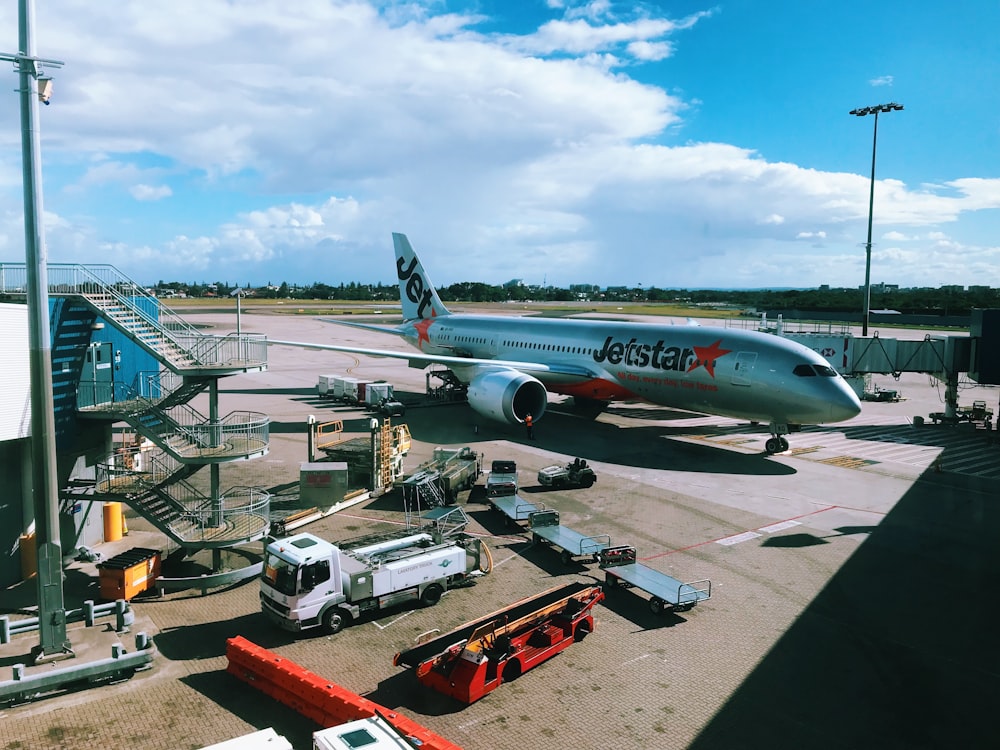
{"points": [[157, 407]]}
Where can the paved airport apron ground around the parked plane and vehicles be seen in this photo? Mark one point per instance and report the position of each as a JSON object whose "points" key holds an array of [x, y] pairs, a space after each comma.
{"points": [[852, 582]]}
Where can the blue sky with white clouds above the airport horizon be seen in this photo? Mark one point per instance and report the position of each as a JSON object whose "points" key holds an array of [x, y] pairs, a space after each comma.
{"points": [[676, 144]]}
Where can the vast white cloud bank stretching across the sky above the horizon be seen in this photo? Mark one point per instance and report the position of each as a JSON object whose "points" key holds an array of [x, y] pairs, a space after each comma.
{"points": [[294, 138]]}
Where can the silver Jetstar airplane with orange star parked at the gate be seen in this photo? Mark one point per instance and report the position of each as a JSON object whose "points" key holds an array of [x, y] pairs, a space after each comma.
{"points": [[509, 363]]}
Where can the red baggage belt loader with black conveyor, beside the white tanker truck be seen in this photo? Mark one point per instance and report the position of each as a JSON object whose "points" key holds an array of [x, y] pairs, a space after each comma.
{"points": [[478, 657]]}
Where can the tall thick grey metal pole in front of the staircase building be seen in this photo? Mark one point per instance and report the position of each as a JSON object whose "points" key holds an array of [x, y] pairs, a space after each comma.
{"points": [[53, 641]]}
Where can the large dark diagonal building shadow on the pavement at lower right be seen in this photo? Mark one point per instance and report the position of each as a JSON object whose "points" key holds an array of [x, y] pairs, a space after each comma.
{"points": [[899, 650]]}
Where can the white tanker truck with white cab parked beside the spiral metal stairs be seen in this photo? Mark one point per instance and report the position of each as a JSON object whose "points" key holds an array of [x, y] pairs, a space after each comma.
{"points": [[308, 582]]}
